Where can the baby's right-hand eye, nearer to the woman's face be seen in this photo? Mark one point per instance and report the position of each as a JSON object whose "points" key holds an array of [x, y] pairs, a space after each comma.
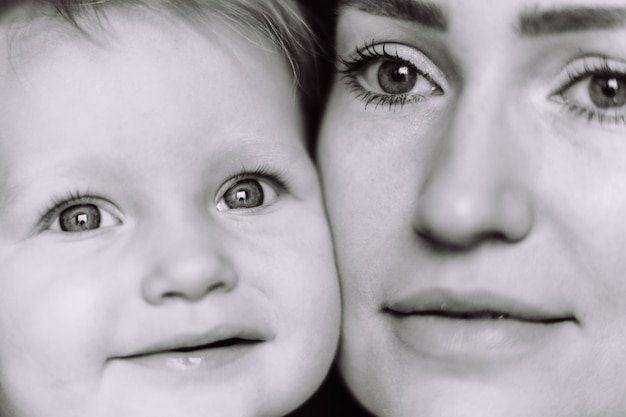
{"points": [[246, 193]]}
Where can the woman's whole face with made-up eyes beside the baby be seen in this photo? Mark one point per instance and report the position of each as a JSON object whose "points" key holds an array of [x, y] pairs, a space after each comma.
{"points": [[473, 157]]}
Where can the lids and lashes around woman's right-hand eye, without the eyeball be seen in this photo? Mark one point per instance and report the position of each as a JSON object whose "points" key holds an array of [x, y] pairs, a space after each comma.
{"points": [[586, 68]]}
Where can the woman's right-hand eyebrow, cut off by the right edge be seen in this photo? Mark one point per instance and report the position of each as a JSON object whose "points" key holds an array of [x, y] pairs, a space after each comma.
{"points": [[570, 19]]}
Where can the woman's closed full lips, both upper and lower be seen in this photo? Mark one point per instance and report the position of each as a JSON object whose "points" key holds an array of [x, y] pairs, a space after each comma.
{"points": [[479, 325]]}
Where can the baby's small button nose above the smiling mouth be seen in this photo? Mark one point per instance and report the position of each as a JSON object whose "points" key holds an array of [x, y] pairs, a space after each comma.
{"points": [[190, 265]]}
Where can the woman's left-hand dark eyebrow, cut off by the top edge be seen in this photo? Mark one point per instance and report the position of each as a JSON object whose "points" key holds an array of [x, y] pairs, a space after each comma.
{"points": [[416, 11]]}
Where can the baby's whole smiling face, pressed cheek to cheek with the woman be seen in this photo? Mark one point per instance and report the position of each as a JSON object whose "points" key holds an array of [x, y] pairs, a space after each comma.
{"points": [[164, 249]]}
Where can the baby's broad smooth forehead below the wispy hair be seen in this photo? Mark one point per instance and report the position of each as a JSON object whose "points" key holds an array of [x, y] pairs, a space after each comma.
{"points": [[76, 92]]}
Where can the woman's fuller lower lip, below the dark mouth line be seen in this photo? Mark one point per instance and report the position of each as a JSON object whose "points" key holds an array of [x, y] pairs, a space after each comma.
{"points": [[442, 337]]}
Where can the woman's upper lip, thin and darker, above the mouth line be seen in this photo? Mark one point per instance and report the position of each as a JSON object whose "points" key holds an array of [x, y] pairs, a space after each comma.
{"points": [[474, 305]]}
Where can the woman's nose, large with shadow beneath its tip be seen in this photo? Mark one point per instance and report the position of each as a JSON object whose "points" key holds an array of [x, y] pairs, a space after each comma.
{"points": [[473, 192]]}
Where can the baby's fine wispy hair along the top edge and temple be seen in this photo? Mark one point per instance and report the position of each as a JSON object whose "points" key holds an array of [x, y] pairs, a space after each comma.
{"points": [[281, 22]]}
